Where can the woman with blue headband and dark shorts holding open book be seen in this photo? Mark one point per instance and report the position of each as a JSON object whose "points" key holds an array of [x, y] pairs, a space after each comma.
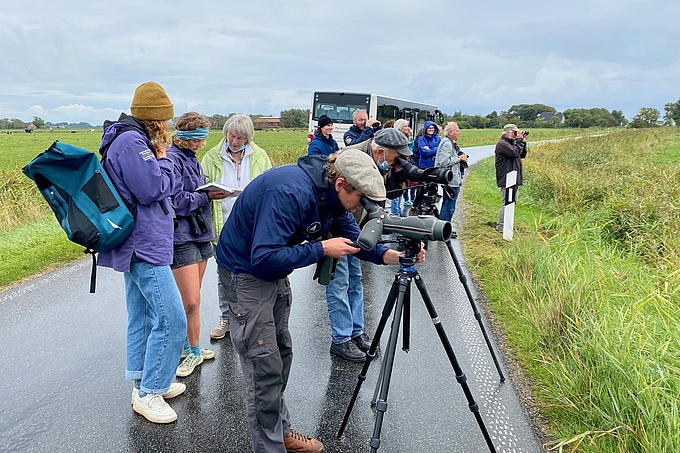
{"points": [[193, 234]]}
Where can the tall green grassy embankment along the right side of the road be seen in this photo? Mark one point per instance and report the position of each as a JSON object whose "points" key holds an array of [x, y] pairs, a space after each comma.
{"points": [[588, 293]]}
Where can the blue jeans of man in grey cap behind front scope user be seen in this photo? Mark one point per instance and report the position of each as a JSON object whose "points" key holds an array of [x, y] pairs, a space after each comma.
{"points": [[345, 300]]}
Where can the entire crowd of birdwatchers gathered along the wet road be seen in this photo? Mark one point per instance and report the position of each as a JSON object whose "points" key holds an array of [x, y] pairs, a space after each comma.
{"points": [[260, 223]]}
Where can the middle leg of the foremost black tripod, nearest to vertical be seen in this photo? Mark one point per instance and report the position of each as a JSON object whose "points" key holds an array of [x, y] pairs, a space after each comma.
{"points": [[388, 363]]}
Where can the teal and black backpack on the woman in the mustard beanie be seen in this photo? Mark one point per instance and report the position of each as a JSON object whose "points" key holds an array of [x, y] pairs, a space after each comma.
{"points": [[87, 205]]}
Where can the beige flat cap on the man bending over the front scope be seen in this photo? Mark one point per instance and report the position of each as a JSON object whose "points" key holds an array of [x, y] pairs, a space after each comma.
{"points": [[360, 171]]}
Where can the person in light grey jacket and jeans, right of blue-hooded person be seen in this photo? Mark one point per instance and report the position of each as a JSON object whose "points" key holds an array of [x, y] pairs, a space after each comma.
{"points": [[450, 156]]}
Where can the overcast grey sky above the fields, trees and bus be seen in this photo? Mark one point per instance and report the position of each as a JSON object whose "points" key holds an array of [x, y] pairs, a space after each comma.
{"points": [[80, 60]]}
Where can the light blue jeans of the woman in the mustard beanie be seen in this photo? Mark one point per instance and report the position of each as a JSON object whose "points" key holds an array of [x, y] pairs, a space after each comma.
{"points": [[156, 326]]}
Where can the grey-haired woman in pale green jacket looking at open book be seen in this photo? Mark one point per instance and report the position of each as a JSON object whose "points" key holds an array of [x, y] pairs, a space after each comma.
{"points": [[234, 161]]}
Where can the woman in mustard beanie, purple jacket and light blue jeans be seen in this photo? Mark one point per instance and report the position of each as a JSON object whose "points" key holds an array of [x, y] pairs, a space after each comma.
{"points": [[135, 160]]}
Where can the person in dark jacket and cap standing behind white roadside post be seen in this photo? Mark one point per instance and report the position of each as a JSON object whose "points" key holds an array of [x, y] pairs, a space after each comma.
{"points": [[509, 152]]}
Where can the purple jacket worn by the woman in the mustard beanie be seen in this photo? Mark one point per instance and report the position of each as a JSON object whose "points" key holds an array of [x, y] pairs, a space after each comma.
{"points": [[146, 183]]}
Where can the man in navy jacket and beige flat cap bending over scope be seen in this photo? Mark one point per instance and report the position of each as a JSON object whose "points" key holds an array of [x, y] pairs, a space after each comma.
{"points": [[287, 218]]}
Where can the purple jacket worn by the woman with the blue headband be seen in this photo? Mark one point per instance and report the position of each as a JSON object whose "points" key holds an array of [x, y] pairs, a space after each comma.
{"points": [[185, 199]]}
